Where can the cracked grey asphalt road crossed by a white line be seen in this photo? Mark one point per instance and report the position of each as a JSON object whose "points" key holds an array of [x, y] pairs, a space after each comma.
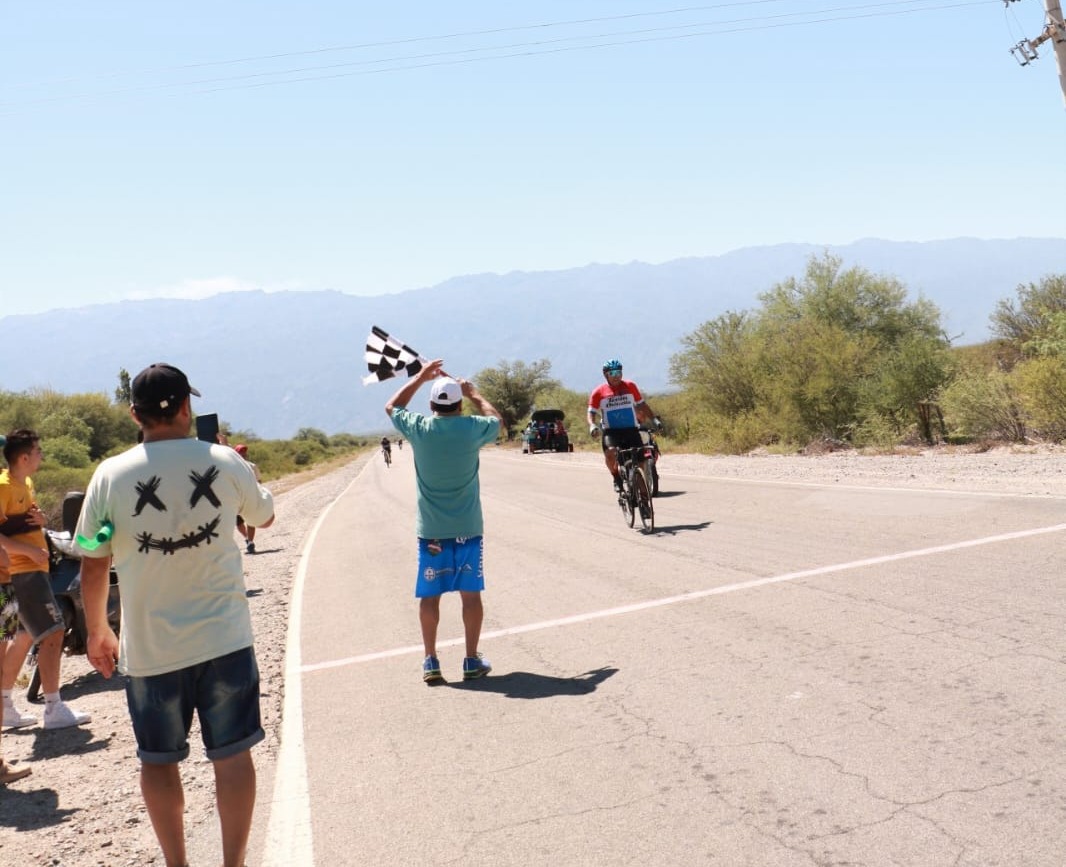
{"points": [[782, 676]]}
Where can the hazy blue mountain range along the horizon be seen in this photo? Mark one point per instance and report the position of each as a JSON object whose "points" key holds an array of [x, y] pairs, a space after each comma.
{"points": [[274, 363]]}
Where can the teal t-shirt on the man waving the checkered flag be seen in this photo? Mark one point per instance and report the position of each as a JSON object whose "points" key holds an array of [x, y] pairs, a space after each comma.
{"points": [[446, 471]]}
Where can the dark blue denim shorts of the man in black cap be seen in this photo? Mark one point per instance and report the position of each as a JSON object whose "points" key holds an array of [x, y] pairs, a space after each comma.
{"points": [[223, 692]]}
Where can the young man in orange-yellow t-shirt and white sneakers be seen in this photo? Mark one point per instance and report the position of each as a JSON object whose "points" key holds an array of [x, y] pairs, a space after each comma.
{"points": [[22, 524]]}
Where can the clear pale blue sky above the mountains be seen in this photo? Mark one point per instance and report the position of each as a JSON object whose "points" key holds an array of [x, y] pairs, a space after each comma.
{"points": [[183, 150]]}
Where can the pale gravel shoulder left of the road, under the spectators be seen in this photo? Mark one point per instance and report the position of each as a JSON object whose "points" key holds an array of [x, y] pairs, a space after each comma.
{"points": [[83, 808]]}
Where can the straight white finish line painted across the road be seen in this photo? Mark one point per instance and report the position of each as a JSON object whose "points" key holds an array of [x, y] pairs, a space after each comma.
{"points": [[698, 595]]}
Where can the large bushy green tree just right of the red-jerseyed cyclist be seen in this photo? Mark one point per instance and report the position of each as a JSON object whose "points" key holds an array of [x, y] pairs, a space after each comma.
{"points": [[829, 355]]}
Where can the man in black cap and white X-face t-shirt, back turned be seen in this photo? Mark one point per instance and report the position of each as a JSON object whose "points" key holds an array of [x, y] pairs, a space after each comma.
{"points": [[187, 641]]}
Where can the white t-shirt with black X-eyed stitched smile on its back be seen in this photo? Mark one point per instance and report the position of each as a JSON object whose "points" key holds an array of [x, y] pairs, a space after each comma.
{"points": [[173, 506]]}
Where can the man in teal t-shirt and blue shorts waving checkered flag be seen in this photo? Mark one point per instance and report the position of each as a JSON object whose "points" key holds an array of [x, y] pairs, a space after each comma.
{"points": [[447, 446]]}
